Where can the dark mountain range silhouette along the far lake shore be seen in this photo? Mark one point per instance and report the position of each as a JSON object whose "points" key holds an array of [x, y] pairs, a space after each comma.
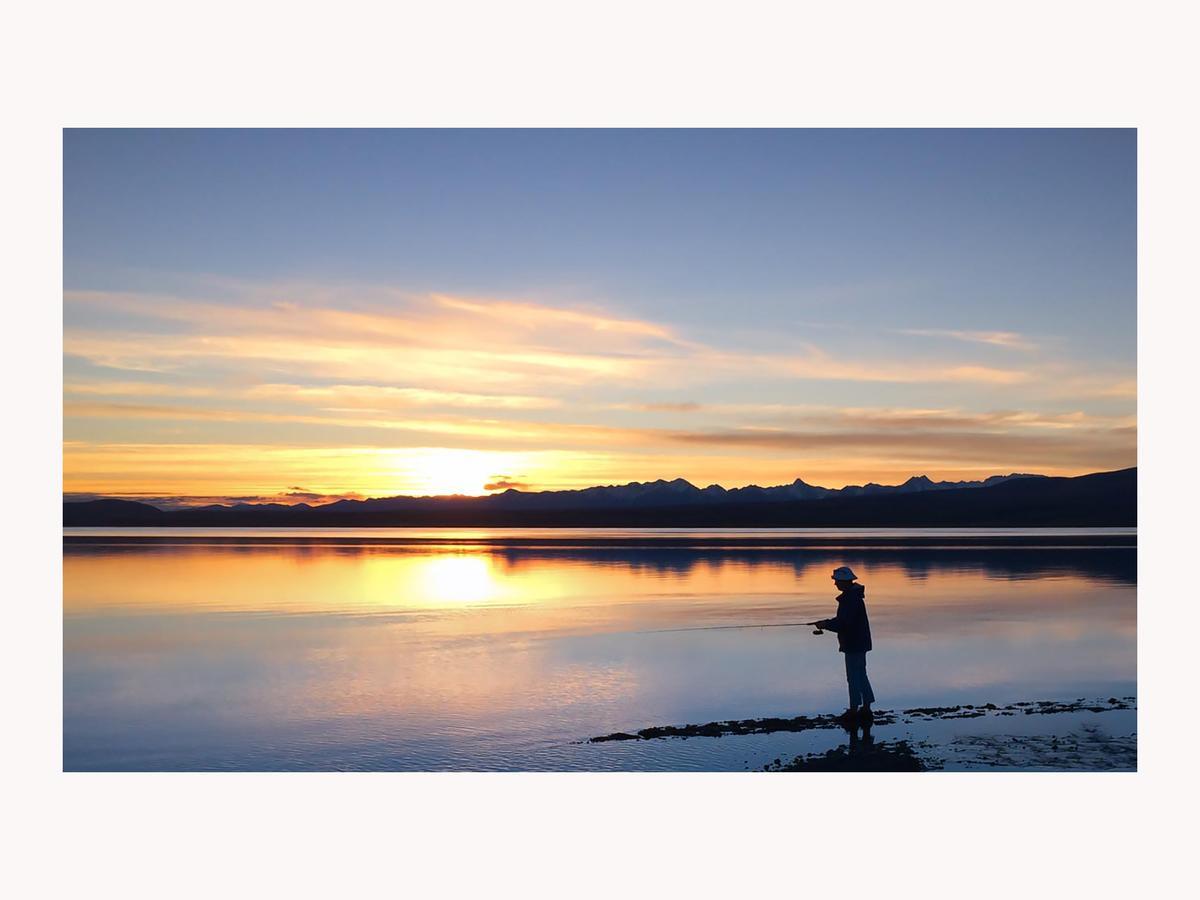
{"points": [[1108, 499]]}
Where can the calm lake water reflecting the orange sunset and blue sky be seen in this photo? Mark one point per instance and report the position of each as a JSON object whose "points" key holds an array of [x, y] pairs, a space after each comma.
{"points": [[363, 651]]}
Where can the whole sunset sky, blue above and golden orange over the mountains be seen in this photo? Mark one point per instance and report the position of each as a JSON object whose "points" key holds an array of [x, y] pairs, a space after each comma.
{"points": [[303, 316]]}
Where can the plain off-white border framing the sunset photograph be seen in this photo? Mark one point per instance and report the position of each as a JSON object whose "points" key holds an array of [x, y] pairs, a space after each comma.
{"points": [[619, 64]]}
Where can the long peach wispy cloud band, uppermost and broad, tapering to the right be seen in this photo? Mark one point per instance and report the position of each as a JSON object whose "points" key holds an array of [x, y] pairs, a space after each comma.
{"points": [[442, 343]]}
